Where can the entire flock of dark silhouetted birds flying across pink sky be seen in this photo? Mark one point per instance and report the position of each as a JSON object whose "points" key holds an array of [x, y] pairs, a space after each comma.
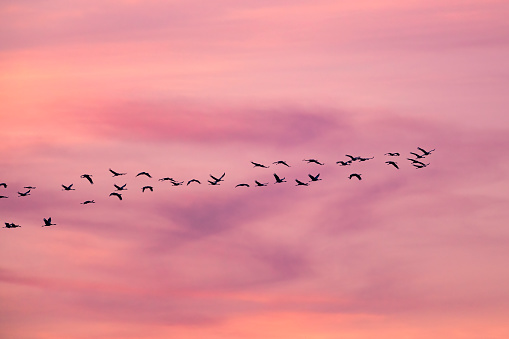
{"points": [[417, 161]]}
